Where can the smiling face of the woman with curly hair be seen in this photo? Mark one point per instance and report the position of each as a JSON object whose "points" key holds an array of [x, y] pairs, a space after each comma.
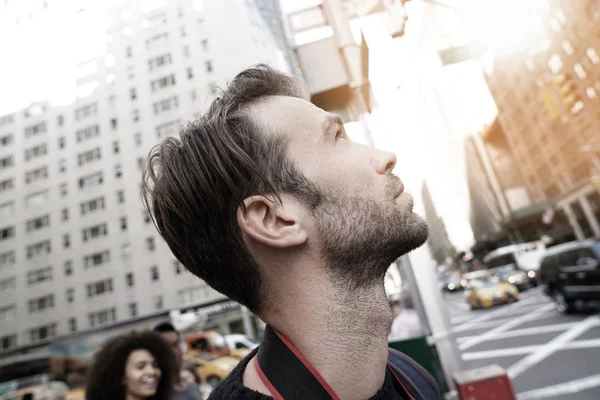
{"points": [[141, 374]]}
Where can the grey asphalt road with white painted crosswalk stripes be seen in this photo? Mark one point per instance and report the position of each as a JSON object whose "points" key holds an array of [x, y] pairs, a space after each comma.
{"points": [[547, 355]]}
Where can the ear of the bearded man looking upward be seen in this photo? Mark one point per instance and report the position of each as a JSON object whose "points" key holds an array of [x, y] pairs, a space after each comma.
{"points": [[270, 223]]}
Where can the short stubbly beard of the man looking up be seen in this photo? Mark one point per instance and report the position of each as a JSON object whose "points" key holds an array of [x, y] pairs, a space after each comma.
{"points": [[361, 236]]}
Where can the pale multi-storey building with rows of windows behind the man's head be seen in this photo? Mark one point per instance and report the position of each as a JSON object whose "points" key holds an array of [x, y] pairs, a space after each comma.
{"points": [[77, 250]]}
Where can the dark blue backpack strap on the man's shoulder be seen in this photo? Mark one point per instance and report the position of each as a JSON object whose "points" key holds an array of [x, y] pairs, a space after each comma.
{"points": [[417, 381]]}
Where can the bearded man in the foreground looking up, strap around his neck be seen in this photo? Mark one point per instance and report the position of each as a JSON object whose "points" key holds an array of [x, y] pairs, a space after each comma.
{"points": [[266, 199]]}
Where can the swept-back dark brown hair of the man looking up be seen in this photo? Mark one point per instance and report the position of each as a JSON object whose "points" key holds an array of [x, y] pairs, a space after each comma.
{"points": [[194, 185]]}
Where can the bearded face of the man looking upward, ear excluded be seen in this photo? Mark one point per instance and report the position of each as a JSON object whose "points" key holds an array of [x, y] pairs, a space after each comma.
{"points": [[365, 220]]}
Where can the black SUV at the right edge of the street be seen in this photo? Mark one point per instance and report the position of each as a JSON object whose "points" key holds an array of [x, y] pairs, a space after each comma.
{"points": [[570, 272]]}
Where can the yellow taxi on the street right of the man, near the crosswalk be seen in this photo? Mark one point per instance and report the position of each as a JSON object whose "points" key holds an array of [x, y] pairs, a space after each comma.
{"points": [[488, 292]]}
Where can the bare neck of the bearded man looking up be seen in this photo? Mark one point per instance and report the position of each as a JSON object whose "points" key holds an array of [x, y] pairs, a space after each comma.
{"points": [[343, 335]]}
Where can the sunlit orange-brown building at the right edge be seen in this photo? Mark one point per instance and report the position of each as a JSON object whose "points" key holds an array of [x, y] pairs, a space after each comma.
{"points": [[548, 104]]}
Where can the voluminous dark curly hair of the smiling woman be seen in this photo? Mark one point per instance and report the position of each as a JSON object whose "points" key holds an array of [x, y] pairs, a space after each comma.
{"points": [[106, 374]]}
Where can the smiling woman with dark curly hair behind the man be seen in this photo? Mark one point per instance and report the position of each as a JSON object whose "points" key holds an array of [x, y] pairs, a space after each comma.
{"points": [[133, 366]]}
